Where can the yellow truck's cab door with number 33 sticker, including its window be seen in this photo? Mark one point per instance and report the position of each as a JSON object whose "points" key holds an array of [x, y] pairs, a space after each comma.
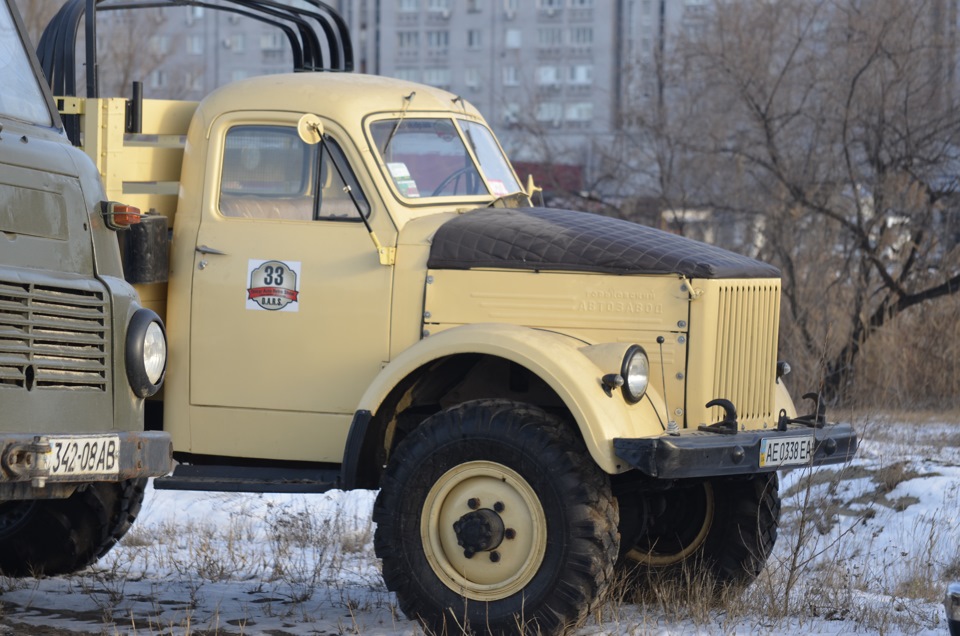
{"points": [[290, 305]]}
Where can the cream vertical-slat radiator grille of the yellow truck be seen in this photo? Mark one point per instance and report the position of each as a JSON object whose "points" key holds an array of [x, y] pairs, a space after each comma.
{"points": [[747, 324]]}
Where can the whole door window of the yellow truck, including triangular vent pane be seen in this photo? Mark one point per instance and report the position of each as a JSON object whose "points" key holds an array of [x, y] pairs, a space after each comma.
{"points": [[270, 173]]}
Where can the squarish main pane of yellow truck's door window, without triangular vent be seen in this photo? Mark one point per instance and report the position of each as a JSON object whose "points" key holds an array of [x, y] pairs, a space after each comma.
{"points": [[266, 174]]}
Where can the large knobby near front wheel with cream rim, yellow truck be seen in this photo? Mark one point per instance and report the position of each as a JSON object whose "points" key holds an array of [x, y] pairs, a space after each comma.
{"points": [[532, 513]]}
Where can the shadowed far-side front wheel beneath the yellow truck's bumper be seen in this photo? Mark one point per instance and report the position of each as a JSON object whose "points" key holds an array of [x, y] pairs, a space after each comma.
{"points": [[723, 528]]}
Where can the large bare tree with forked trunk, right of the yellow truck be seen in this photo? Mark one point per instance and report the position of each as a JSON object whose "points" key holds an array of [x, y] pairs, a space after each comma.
{"points": [[832, 128]]}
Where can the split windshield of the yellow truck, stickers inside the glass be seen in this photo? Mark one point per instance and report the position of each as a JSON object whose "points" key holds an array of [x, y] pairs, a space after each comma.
{"points": [[428, 158]]}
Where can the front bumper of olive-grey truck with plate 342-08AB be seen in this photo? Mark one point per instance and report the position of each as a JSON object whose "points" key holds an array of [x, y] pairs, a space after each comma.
{"points": [[46, 460]]}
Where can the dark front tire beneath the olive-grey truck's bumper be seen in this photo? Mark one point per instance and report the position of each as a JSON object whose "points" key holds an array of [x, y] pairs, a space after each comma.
{"points": [[59, 536]]}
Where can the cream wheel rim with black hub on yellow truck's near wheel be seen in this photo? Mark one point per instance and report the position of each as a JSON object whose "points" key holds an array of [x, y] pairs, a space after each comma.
{"points": [[471, 501]]}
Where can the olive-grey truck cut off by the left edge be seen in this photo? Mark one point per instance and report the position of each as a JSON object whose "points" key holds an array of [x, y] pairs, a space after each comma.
{"points": [[78, 353]]}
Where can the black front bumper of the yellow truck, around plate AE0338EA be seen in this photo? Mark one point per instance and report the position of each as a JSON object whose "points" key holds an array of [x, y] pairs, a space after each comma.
{"points": [[707, 454]]}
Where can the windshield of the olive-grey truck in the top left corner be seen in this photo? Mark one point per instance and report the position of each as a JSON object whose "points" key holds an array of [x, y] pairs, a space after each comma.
{"points": [[20, 97]]}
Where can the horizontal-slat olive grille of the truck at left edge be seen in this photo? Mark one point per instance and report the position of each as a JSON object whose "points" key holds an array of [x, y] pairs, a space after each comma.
{"points": [[52, 337]]}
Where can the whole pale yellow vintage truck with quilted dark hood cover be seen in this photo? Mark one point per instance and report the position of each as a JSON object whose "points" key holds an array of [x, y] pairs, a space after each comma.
{"points": [[360, 294]]}
